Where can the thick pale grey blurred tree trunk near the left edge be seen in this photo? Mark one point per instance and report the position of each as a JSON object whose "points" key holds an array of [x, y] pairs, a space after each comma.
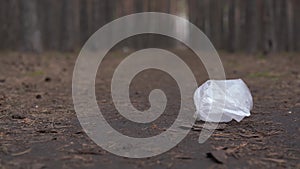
{"points": [[31, 34]]}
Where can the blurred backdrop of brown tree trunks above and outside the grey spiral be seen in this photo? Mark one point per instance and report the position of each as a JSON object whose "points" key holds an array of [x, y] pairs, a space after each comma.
{"points": [[251, 26]]}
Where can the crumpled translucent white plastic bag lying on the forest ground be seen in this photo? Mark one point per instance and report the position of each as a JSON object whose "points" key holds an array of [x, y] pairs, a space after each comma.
{"points": [[223, 100]]}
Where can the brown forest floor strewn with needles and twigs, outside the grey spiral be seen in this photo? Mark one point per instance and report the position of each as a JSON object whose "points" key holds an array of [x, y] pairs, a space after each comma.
{"points": [[39, 127]]}
